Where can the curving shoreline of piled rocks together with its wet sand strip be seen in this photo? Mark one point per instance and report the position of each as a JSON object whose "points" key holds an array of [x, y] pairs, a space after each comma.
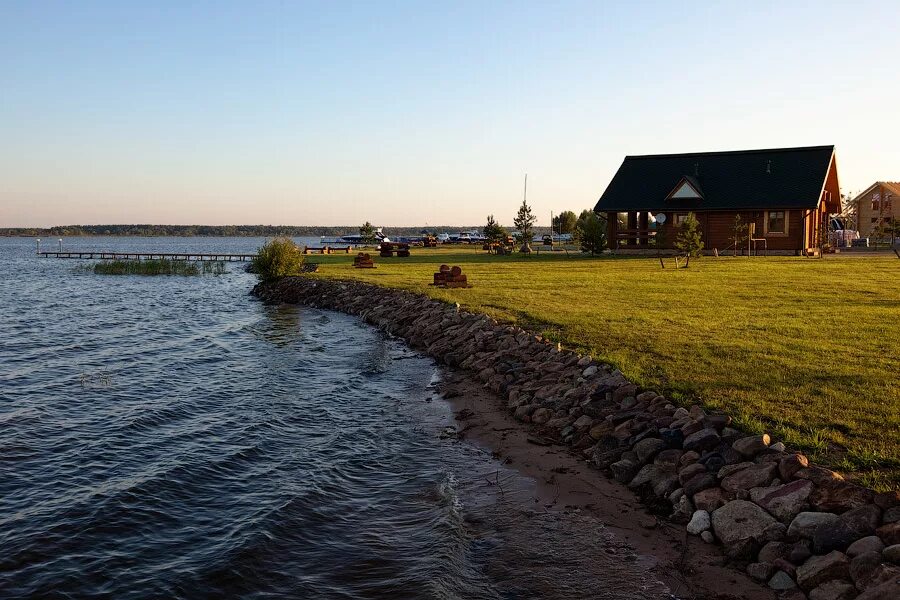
{"points": [[760, 509]]}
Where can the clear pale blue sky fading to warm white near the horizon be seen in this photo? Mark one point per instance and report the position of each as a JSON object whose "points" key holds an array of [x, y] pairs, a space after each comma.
{"points": [[414, 113]]}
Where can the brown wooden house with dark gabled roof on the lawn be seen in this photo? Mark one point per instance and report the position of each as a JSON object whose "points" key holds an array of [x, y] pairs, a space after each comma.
{"points": [[785, 194]]}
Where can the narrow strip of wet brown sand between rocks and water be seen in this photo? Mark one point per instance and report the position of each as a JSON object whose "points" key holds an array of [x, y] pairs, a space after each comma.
{"points": [[567, 484]]}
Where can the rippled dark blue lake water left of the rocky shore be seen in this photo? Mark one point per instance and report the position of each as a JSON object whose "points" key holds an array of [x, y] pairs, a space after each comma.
{"points": [[172, 437]]}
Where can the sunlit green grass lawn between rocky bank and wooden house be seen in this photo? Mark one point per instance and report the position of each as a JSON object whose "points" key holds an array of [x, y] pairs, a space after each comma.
{"points": [[806, 349]]}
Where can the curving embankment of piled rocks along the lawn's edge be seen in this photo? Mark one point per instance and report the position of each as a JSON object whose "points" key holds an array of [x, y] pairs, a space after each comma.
{"points": [[798, 527]]}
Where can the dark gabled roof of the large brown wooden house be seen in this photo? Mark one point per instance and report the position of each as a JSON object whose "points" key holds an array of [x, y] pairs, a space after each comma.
{"points": [[738, 180]]}
